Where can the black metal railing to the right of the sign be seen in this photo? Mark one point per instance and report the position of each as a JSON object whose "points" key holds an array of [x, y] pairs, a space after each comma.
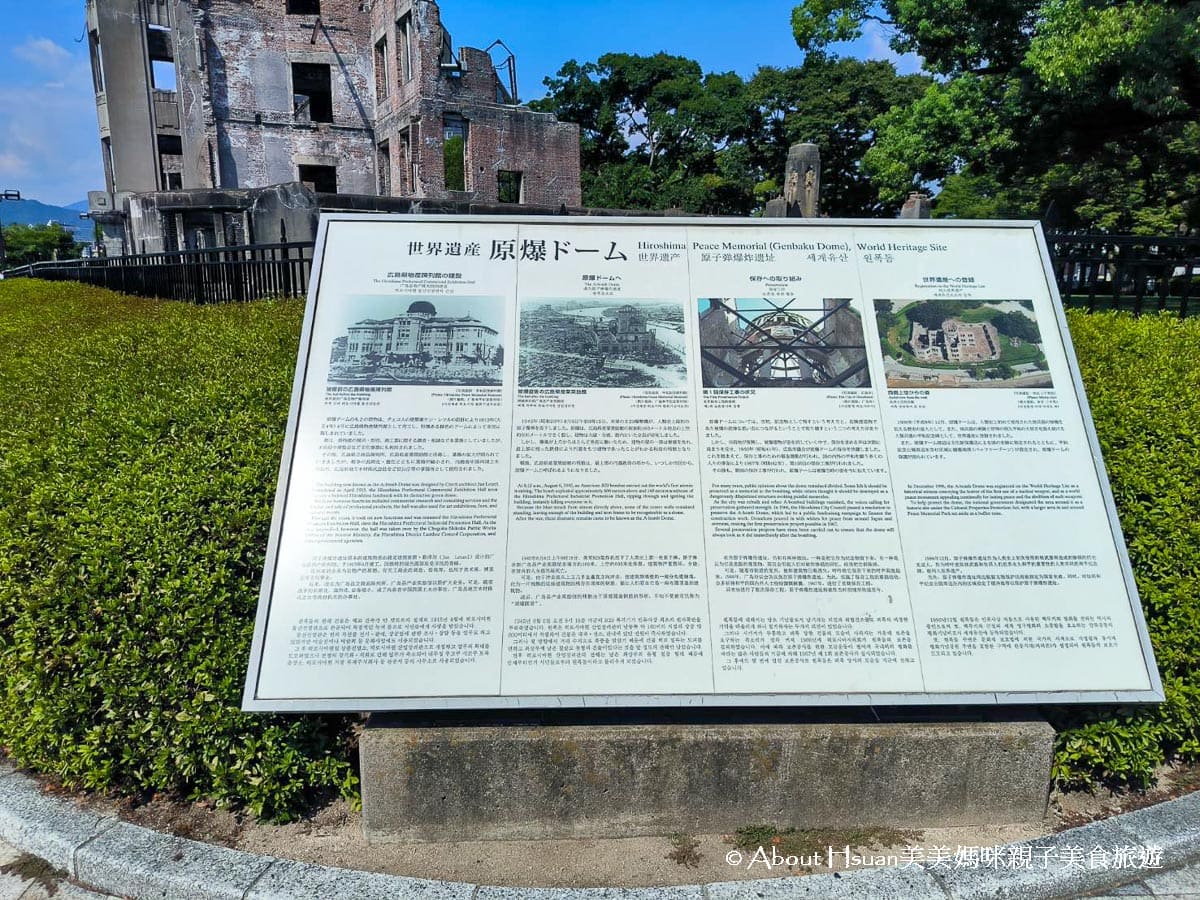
{"points": [[1127, 273]]}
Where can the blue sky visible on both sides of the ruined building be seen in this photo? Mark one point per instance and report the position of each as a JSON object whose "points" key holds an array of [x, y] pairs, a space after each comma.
{"points": [[50, 149]]}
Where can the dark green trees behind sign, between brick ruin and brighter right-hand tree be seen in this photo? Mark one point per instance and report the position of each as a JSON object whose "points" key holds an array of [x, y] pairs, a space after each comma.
{"points": [[659, 134]]}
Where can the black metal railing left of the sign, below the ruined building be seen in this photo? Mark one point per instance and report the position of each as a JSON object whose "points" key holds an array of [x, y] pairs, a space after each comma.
{"points": [[199, 277]]}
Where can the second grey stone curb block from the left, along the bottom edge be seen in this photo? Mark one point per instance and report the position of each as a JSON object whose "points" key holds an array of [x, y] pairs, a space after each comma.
{"points": [[131, 861]]}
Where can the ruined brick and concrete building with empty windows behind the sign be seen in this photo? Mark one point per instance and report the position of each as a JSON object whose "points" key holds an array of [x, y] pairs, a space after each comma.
{"points": [[206, 107]]}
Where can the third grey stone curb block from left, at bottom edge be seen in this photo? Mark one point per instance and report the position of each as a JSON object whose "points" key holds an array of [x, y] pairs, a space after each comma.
{"points": [[287, 880]]}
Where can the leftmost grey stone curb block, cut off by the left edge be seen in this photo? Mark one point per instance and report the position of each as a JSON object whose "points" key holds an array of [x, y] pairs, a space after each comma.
{"points": [[45, 826]]}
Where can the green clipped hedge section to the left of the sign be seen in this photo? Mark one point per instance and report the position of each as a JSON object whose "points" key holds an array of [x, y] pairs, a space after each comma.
{"points": [[140, 446]]}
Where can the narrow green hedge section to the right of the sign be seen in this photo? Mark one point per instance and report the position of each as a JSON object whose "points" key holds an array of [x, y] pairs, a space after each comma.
{"points": [[1143, 381]]}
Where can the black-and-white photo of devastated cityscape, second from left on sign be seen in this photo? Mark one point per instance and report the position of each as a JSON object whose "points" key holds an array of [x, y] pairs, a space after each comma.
{"points": [[589, 344]]}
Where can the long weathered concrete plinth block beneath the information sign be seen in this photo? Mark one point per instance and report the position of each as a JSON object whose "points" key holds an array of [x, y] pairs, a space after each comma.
{"points": [[502, 783]]}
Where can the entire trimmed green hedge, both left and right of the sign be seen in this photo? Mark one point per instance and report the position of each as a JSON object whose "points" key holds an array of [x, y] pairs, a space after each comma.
{"points": [[140, 446]]}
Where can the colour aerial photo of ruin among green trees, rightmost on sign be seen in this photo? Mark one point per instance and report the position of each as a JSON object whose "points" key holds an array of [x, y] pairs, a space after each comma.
{"points": [[962, 344]]}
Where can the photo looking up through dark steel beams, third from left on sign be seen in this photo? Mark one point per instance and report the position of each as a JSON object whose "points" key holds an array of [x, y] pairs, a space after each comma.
{"points": [[766, 344]]}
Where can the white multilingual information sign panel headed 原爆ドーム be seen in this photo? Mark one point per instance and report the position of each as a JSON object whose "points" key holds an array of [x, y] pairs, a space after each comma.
{"points": [[652, 463]]}
